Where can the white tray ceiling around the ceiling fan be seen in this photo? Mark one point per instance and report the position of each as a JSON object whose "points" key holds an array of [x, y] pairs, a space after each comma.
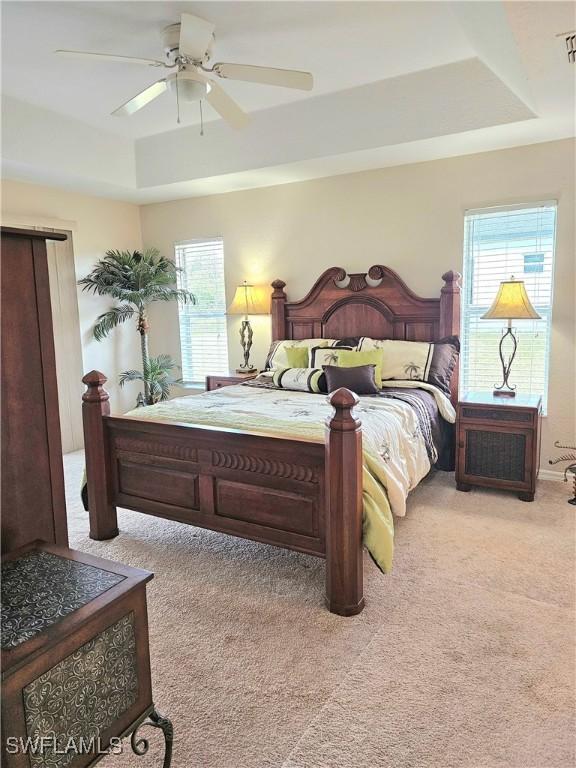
{"points": [[388, 76]]}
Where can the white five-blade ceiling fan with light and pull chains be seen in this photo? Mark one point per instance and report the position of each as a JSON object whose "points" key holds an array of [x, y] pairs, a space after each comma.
{"points": [[188, 49]]}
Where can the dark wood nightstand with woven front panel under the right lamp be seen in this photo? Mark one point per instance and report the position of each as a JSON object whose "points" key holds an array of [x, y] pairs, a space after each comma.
{"points": [[498, 442]]}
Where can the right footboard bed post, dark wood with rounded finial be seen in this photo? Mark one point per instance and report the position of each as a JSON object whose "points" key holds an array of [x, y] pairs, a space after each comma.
{"points": [[344, 577]]}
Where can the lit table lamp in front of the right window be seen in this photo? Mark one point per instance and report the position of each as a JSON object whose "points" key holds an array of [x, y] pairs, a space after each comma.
{"points": [[511, 303]]}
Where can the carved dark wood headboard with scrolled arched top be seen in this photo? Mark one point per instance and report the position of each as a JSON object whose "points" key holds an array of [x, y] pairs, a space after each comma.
{"points": [[378, 304]]}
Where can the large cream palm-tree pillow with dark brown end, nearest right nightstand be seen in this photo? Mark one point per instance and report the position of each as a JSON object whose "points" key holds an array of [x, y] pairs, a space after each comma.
{"points": [[417, 360]]}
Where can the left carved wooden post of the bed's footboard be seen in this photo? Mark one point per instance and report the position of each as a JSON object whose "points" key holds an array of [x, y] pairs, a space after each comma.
{"points": [[95, 405]]}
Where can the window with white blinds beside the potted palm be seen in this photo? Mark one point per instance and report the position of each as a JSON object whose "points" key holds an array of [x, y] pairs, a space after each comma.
{"points": [[203, 333]]}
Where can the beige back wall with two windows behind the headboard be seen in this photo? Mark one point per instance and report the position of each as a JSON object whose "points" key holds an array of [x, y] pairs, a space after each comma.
{"points": [[408, 217]]}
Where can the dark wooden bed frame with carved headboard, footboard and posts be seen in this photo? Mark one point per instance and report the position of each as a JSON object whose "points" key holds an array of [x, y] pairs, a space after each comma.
{"points": [[292, 493]]}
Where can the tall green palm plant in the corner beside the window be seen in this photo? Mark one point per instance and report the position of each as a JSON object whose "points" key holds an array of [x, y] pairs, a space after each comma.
{"points": [[135, 280]]}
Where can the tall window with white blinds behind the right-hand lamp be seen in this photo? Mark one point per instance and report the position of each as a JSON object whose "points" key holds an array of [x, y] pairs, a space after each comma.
{"points": [[499, 243]]}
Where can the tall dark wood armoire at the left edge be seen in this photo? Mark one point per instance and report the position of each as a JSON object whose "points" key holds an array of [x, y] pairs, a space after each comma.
{"points": [[33, 504]]}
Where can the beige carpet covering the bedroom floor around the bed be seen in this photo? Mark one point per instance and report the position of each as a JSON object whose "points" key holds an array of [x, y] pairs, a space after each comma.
{"points": [[463, 658]]}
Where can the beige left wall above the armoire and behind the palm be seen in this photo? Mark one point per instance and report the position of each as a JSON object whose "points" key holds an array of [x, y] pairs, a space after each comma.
{"points": [[97, 225]]}
